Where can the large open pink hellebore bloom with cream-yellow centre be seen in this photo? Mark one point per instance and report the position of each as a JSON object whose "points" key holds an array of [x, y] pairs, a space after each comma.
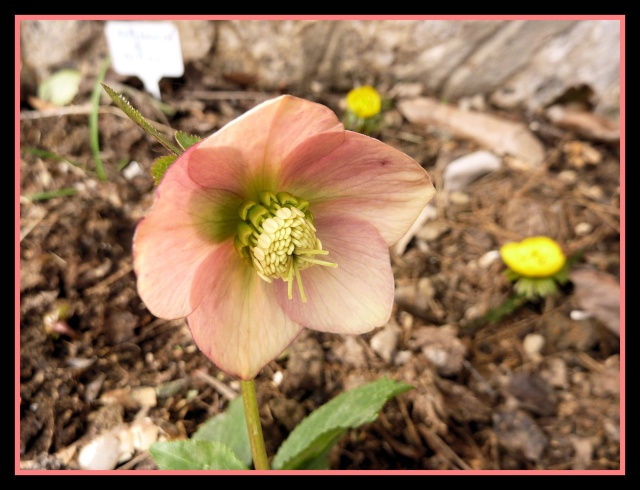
{"points": [[278, 221]]}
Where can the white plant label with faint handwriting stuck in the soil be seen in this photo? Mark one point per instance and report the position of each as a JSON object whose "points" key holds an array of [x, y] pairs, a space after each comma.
{"points": [[145, 49]]}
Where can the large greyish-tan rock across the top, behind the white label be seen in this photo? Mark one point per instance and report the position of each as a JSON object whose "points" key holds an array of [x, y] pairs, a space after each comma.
{"points": [[518, 63]]}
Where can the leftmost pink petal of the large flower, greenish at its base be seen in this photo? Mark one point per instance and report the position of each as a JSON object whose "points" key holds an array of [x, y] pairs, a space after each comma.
{"points": [[178, 233]]}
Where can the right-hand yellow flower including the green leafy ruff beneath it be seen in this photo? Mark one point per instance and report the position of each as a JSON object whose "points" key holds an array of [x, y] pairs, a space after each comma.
{"points": [[535, 265]]}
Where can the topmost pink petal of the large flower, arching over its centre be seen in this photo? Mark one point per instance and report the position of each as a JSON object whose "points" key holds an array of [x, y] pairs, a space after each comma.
{"points": [[258, 142]]}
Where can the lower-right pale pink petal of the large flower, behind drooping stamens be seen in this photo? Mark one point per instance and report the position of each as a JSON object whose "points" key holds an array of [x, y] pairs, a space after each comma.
{"points": [[353, 298]]}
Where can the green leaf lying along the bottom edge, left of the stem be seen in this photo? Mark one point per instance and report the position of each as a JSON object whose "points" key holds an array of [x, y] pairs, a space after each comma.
{"points": [[194, 454]]}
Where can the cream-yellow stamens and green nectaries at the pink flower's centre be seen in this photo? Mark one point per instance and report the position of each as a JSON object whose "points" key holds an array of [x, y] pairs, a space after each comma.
{"points": [[277, 237]]}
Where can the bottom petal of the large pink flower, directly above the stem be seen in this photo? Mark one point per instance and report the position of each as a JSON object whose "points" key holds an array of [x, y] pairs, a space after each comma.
{"points": [[239, 324]]}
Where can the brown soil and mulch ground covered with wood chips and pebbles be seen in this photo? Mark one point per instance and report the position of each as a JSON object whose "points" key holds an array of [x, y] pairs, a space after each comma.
{"points": [[538, 389]]}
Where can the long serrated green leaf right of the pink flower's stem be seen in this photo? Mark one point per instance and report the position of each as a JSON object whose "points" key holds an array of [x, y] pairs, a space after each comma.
{"points": [[310, 442]]}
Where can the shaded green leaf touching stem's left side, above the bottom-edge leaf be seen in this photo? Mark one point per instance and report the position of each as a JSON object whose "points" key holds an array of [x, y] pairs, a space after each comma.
{"points": [[230, 429]]}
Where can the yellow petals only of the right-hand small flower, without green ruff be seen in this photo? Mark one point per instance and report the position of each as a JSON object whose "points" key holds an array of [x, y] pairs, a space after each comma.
{"points": [[535, 257]]}
